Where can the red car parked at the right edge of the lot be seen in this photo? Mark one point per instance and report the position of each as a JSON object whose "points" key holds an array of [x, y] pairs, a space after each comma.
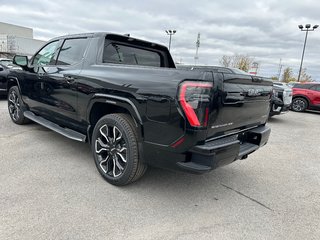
{"points": [[306, 96]]}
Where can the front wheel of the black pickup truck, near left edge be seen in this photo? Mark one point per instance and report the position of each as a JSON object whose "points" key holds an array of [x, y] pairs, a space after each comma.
{"points": [[16, 107]]}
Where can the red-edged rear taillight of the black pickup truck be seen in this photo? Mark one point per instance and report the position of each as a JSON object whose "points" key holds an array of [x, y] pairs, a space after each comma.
{"points": [[194, 98]]}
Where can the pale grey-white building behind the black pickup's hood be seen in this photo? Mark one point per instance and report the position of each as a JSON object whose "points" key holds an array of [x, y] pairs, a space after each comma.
{"points": [[17, 40]]}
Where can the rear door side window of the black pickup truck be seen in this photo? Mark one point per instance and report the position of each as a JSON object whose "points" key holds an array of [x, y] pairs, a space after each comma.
{"points": [[72, 51]]}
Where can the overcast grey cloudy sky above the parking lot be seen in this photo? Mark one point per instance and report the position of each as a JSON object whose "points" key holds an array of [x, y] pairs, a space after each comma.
{"points": [[264, 30]]}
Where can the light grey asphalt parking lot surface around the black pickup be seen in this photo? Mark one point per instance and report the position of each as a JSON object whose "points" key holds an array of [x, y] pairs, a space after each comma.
{"points": [[50, 189]]}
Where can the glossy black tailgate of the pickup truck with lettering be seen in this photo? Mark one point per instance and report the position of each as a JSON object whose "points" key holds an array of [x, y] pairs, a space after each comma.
{"points": [[239, 102]]}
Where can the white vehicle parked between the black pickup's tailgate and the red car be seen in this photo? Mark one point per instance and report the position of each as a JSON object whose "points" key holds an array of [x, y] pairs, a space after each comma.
{"points": [[281, 99]]}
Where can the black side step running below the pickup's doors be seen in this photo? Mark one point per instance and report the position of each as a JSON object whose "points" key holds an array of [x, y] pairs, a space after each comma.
{"points": [[55, 127]]}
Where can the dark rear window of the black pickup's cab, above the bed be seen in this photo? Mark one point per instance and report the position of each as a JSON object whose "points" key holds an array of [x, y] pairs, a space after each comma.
{"points": [[129, 55]]}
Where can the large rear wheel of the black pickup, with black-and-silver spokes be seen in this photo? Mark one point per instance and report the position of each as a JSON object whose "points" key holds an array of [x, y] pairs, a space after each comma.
{"points": [[115, 150]]}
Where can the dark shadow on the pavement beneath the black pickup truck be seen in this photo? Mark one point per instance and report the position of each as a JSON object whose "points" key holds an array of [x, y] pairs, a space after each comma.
{"points": [[168, 187]]}
